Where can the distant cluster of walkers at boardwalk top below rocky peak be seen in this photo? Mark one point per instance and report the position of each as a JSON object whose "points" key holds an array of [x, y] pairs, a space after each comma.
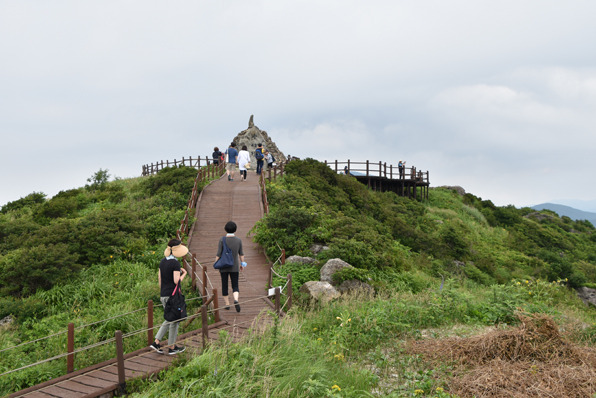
{"points": [[233, 158]]}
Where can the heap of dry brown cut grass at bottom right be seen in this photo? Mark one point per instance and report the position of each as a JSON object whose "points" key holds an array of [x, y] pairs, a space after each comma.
{"points": [[531, 360]]}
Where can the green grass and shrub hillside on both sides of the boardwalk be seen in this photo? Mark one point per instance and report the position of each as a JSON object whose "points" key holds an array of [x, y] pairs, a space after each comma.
{"points": [[450, 266]]}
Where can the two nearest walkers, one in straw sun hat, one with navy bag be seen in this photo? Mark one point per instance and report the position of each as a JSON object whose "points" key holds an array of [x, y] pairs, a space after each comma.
{"points": [[171, 273]]}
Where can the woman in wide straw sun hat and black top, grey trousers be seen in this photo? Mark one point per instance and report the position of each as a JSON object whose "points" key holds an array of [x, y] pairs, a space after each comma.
{"points": [[169, 275]]}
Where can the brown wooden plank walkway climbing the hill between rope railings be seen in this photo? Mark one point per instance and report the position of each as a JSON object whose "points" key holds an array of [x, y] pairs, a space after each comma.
{"points": [[220, 202]]}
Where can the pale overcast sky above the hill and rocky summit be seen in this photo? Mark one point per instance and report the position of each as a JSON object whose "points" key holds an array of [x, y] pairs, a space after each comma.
{"points": [[498, 97]]}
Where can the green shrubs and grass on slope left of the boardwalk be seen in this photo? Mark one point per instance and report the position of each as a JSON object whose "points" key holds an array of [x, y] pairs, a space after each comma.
{"points": [[85, 255]]}
